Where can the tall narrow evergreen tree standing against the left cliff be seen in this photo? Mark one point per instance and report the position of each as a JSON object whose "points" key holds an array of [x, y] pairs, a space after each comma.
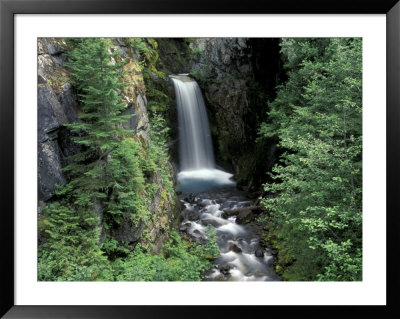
{"points": [[97, 75]]}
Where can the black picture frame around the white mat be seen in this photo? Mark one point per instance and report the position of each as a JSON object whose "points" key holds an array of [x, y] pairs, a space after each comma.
{"points": [[8, 8]]}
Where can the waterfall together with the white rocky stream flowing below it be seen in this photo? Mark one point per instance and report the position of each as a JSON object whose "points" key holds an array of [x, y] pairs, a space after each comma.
{"points": [[210, 196]]}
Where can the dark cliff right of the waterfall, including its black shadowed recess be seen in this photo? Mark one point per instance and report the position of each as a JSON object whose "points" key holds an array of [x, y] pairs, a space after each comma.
{"points": [[238, 77]]}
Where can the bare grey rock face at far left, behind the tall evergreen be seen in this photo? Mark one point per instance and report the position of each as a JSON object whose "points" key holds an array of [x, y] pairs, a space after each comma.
{"points": [[54, 110]]}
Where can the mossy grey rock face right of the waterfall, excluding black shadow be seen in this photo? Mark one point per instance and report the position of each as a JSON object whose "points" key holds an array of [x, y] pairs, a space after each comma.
{"points": [[226, 65]]}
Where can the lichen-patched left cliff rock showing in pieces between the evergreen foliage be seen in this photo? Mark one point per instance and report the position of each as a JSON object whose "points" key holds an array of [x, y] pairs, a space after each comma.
{"points": [[58, 105]]}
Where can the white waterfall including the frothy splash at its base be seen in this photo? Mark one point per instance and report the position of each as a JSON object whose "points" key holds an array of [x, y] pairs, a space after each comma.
{"points": [[196, 157]]}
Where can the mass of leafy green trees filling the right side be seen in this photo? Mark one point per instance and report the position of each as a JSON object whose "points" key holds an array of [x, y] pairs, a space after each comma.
{"points": [[316, 118]]}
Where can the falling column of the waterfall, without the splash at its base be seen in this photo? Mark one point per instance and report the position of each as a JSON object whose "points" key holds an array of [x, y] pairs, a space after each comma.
{"points": [[195, 146]]}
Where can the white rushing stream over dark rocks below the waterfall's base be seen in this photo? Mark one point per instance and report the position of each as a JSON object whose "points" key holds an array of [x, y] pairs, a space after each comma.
{"points": [[241, 256]]}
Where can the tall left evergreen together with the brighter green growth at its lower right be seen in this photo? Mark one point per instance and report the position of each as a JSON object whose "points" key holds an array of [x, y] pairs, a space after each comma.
{"points": [[108, 169]]}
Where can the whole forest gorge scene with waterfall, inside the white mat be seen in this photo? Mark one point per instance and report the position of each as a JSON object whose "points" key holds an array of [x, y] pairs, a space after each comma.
{"points": [[210, 159]]}
